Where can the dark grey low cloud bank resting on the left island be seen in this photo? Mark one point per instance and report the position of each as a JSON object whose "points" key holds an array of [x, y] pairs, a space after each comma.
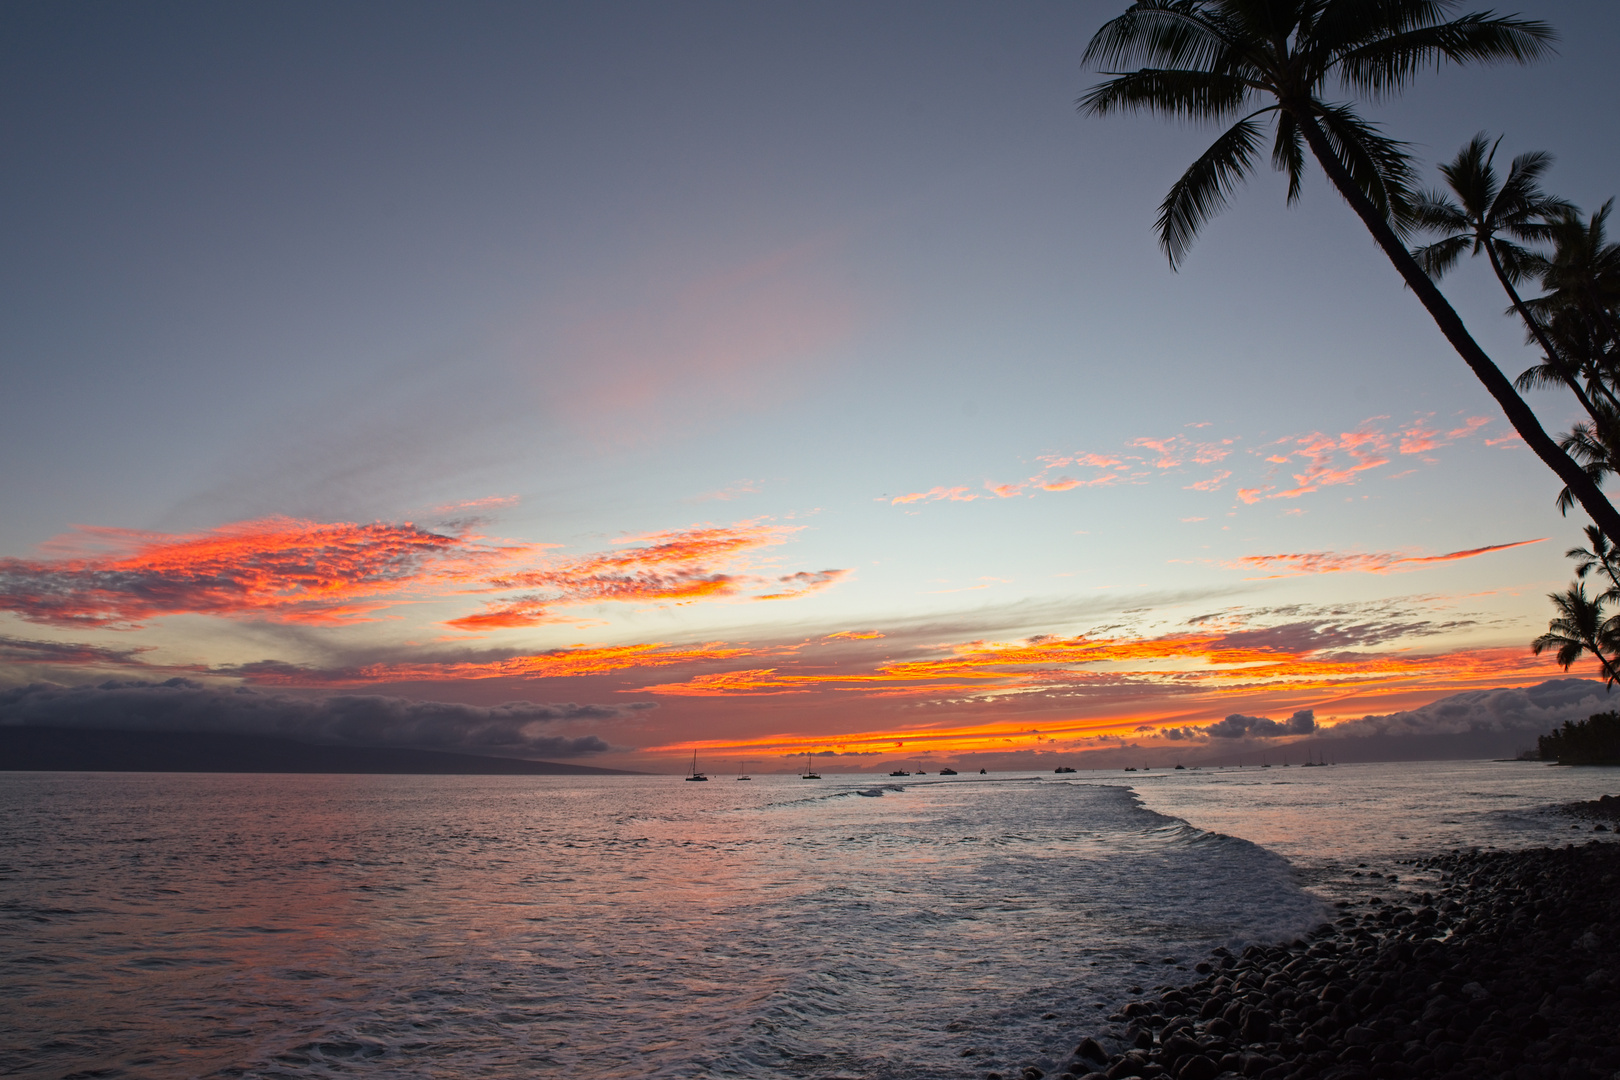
{"points": [[181, 705]]}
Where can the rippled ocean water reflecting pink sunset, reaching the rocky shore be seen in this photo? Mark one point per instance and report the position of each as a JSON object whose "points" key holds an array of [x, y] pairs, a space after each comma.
{"points": [[163, 925]]}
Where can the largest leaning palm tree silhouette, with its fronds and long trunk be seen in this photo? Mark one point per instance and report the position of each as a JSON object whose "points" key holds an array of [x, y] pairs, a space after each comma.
{"points": [[1256, 62]]}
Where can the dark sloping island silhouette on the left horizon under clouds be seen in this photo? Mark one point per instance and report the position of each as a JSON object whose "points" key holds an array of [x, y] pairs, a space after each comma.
{"points": [[98, 750]]}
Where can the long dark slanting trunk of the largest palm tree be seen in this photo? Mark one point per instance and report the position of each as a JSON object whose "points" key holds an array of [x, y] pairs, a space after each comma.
{"points": [[1519, 414]]}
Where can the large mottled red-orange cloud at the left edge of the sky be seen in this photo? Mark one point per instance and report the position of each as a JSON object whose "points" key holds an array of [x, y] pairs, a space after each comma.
{"points": [[275, 569]]}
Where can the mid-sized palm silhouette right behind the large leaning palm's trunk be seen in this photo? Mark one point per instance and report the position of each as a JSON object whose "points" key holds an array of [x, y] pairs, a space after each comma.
{"points": [[1490, 218]]}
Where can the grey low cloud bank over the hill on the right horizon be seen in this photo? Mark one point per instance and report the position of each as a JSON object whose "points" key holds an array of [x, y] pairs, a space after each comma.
{"points": [[1506, 710]]}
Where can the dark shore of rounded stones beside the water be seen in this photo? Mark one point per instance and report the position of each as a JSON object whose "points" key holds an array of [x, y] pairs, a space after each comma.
{"points": [[1506, 967]]}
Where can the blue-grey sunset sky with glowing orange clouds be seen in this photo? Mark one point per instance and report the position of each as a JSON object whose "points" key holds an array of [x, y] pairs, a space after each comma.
{"points": [[612, 383]]}
